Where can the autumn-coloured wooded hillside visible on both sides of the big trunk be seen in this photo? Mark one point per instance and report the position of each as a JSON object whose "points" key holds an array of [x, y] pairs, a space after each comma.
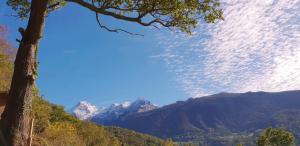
{"points": [[55, 127]]}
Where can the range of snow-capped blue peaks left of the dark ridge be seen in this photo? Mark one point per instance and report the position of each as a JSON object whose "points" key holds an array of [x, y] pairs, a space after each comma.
{"points": [[87, 111]]}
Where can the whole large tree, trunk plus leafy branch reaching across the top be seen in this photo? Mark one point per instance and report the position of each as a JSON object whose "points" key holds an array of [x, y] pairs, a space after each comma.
{"points": [[182, 14]]}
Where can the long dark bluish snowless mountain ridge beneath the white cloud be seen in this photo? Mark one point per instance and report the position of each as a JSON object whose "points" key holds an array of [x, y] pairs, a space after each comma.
{"points": [[221, 117]]}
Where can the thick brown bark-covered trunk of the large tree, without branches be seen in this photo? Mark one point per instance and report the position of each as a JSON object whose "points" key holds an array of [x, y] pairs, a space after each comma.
{"points": [[15, 121]]}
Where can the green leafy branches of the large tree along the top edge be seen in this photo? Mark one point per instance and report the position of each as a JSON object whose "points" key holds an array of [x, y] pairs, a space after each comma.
{"points": [[181, 14]]}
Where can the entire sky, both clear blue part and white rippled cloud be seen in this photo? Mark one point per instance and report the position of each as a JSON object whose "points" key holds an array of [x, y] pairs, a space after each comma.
{"points": [[256, 48]]}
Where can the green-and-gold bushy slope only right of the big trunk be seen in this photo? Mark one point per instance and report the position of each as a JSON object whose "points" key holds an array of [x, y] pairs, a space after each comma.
{"points": [[53, 126]]}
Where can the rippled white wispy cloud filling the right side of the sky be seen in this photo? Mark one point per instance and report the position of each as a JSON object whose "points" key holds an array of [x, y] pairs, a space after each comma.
{"points": [[256, 48]]}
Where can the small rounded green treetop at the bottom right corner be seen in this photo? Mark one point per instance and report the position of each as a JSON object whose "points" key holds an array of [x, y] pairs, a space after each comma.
{"points": [[276, 137]]}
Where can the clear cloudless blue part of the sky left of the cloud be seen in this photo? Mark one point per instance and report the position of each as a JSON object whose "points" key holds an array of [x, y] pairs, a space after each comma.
{"points": [[80, 61]]}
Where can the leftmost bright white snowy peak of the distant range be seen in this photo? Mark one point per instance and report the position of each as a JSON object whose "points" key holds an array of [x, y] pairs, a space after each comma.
{"points": [[85, 110]]}
